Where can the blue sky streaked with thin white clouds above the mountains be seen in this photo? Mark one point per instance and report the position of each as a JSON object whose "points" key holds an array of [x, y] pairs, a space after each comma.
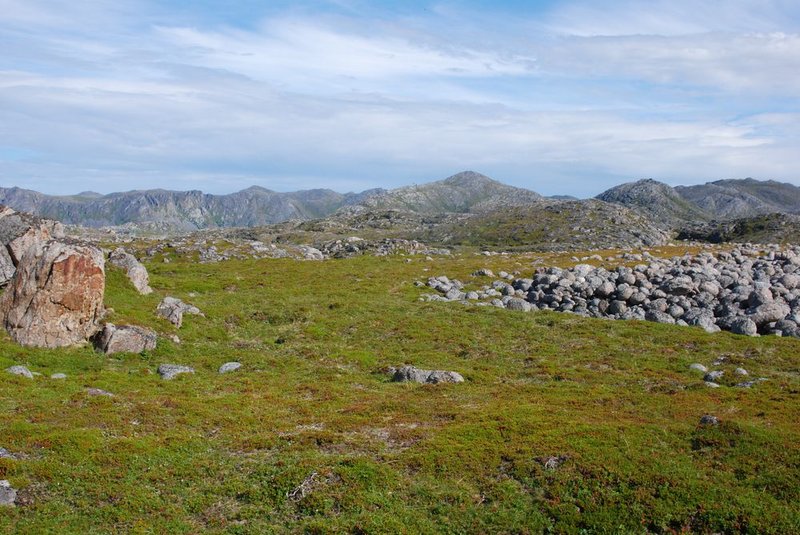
{"points": [[561, 97]]}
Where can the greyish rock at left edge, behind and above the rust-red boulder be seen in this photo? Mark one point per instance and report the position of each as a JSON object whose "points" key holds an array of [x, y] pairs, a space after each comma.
{"points": [[20, 233]]}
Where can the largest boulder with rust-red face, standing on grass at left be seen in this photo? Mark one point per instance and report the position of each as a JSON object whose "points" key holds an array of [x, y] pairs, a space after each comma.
{"points": [[55, 298]]}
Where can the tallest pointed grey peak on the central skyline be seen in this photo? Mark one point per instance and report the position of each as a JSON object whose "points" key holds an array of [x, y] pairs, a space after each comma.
{"points": [[462, 193]]}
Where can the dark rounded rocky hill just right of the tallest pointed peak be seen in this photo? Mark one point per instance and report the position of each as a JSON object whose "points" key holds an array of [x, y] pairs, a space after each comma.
{"points": [[658, 200]]}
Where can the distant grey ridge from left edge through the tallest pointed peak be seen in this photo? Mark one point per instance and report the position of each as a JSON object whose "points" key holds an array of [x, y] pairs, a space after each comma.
{"points": [[162, 210]]}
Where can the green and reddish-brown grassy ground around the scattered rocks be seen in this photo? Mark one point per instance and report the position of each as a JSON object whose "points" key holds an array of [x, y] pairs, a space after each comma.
{"points": [[210, 453]]}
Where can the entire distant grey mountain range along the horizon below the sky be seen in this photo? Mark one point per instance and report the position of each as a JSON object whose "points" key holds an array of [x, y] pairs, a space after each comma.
{"points": [[467, 192]]}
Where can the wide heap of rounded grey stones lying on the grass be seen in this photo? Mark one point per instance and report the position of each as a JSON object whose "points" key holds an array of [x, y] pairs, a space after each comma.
{"points": [[743, 291]]}
